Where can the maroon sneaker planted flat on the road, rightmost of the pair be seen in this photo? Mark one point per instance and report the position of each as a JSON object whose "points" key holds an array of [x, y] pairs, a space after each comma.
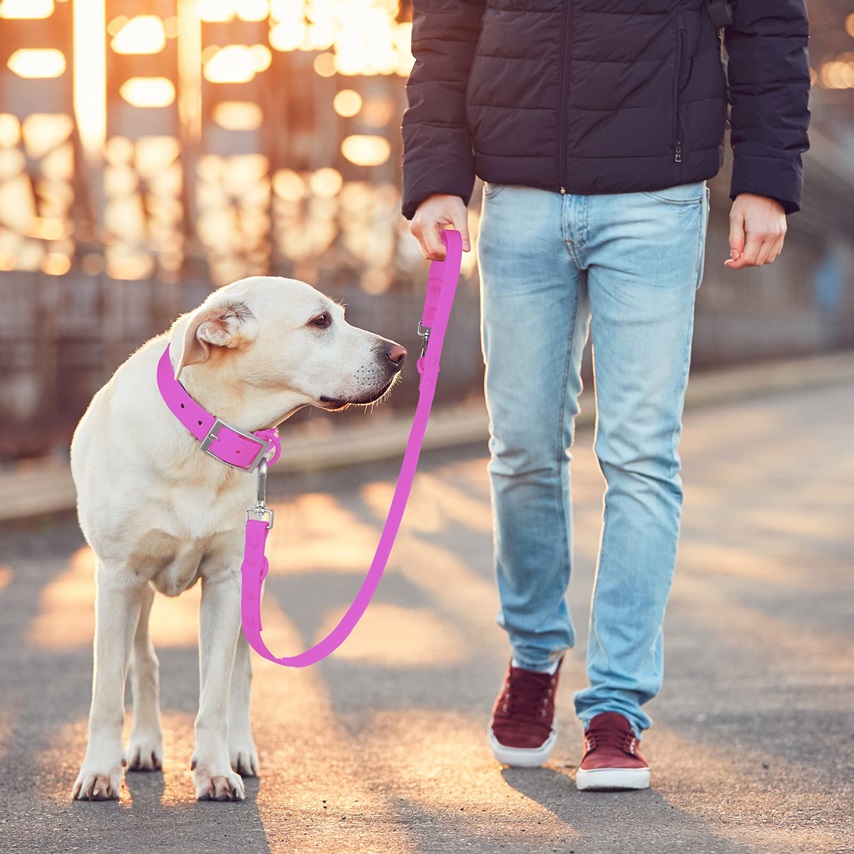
{"points": [[611, 756]]}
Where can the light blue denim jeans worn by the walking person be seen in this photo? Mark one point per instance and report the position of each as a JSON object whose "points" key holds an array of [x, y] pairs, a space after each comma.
{"points": [[625, 267]]}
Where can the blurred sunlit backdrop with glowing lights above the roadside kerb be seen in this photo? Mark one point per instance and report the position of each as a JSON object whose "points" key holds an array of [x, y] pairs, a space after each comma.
{"points": [[151, 150]]}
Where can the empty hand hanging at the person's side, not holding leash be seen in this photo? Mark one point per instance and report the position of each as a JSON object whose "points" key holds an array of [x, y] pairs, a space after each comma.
{"points": [[757, 229]]}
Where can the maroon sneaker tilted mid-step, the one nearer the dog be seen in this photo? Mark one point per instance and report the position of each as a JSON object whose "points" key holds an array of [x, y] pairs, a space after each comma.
{"points": [[522, 731]]}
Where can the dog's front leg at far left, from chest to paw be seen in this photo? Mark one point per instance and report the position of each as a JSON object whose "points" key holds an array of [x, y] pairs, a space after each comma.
{"points": [[117, 604]]}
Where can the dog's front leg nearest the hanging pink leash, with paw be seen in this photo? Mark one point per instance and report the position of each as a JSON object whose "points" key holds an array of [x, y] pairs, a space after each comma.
{"points": [[219, 627]]}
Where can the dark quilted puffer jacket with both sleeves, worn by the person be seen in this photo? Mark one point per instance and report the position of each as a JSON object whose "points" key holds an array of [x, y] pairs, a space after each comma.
{"points": [[604, 96]]}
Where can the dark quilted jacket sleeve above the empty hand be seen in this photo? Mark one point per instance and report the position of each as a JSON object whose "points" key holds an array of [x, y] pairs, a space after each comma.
{"points": [[769, 81]]}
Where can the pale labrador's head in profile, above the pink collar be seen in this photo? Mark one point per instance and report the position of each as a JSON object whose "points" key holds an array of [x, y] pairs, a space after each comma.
{"points": [[279, 344]]}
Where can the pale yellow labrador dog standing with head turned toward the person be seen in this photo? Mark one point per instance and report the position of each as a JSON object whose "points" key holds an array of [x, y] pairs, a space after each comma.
{"points": [[160, 514]]}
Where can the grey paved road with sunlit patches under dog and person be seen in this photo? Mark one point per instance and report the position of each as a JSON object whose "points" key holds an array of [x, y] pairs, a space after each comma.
{"points": [[382, 748]]}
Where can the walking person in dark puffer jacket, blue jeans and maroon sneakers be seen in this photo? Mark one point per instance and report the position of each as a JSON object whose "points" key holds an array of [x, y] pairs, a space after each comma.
{"points": [[594, 125]]}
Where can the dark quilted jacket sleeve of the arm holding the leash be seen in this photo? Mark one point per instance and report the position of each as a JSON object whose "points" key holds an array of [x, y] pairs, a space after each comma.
{"points": [[437, 156]]}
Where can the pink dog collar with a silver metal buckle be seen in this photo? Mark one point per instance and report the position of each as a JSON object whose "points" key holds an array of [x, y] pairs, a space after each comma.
{"points": [[227, 444]]}
